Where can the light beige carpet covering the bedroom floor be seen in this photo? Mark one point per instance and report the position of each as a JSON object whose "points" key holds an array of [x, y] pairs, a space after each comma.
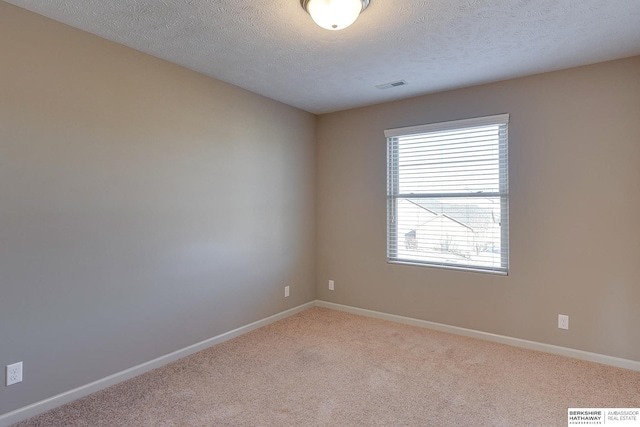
{"points": [[329, 368]]}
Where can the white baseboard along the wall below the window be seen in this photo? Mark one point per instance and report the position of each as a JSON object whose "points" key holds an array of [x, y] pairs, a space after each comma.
{"points": [[516, 342]]}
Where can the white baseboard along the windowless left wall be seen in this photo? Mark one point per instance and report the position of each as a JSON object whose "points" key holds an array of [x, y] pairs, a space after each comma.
{"points": [[71, 395]]}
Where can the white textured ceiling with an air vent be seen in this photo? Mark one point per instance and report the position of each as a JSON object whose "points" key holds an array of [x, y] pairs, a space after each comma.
{"points": [[272, 47]]}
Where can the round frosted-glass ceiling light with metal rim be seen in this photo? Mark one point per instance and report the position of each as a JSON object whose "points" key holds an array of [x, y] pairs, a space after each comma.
{"points": [[334, 14]]}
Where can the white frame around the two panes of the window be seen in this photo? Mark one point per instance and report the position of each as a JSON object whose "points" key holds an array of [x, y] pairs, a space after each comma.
{"points": [[393, 195]]}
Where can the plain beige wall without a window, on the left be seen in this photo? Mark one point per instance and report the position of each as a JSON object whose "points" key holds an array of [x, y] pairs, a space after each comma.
{"points": [[143, 207]]}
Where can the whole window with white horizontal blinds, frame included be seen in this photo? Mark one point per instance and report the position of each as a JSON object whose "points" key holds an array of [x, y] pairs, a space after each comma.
{"points": [[448, 195]]}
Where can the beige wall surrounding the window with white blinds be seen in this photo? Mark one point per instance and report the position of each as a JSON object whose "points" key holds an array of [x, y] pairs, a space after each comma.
{"points": [[574, 152]]}
